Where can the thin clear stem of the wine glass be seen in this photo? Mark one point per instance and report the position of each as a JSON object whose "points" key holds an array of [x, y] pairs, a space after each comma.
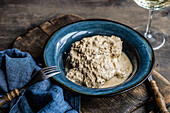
{"points": [[147, 32]]}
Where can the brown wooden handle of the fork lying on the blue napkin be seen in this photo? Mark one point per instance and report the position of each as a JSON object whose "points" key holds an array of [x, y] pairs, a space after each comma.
{"points": [[8, 97]]}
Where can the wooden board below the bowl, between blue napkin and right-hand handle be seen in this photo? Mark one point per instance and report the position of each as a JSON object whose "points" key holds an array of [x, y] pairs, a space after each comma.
{"points": [[118, 104]]}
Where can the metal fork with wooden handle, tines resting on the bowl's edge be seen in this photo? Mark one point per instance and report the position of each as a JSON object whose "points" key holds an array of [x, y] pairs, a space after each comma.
{"points": [[41, 75]]}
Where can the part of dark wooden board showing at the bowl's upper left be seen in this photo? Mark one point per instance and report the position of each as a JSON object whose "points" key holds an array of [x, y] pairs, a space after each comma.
{"points": [[34, 41]]}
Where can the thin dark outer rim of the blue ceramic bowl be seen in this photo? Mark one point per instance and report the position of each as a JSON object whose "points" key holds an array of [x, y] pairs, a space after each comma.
{"points": [[111, 93]]}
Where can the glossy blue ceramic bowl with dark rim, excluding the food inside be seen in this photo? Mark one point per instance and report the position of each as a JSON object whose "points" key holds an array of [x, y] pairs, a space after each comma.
{"points": [[135, 46]]}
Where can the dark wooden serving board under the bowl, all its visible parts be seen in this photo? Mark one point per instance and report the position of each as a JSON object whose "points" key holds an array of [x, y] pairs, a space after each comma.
{"points": [[127, 102]]}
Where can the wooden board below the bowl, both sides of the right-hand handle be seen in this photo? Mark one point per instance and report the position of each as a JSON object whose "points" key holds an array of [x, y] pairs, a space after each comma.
{"points": [[130, 101]]}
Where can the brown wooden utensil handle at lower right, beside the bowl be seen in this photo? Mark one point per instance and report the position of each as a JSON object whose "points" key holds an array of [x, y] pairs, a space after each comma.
{"points": [[158, 97]]}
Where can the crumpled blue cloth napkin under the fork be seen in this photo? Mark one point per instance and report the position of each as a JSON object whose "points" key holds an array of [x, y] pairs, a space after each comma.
{"points": [[16, 69]]}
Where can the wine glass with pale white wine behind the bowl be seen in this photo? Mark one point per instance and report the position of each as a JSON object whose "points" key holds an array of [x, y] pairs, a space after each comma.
{"points": [[153, 35]]}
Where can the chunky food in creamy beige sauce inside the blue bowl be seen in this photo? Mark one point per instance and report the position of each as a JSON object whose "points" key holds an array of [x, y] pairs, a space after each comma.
{"points": [[98, 62]]}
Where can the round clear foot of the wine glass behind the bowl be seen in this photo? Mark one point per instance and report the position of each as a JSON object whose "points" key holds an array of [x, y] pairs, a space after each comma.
{"points": [[156, 38]]}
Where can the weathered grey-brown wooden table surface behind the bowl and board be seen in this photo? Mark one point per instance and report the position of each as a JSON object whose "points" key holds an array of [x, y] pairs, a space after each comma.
{"points": [[17, 17]]}
